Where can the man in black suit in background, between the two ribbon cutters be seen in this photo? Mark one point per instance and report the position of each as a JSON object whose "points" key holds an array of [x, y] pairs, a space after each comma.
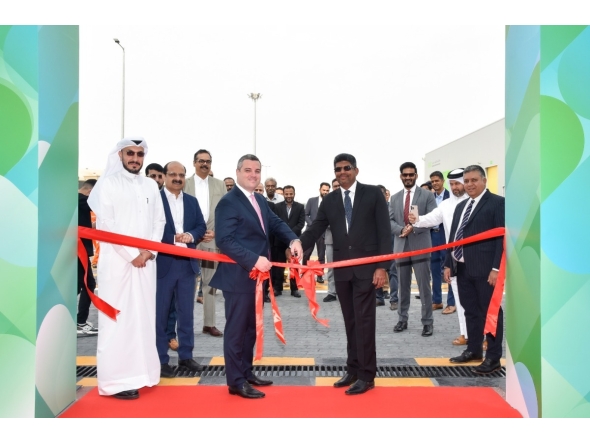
{"points": [[293, 214]]}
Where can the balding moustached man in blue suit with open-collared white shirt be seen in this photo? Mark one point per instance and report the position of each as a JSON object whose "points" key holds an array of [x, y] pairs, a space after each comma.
{"points": [[177, 274]]}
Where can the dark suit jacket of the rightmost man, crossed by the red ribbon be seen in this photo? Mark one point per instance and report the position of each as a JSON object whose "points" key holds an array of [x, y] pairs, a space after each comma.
{"points": [[480, 257]]}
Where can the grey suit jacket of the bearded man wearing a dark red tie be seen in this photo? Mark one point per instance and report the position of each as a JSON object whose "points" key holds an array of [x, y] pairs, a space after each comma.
{"points": [[419, 238]]}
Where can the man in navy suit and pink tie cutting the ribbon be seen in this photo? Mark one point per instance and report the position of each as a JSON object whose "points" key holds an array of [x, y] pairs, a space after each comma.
{"points": [[244, 223]]}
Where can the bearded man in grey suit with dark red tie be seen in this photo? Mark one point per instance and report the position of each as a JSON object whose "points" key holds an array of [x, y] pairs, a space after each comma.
{"points": [[408, 238]]}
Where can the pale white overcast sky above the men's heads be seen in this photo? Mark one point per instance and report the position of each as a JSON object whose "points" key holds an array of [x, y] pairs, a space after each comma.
{"points": [[379, 80]]}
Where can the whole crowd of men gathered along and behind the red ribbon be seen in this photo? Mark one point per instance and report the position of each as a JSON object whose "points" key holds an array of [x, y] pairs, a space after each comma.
{"points": [[257, 223]]}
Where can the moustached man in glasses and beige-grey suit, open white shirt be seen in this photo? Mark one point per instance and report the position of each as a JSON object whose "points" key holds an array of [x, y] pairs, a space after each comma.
{"points": [[208, 192]]}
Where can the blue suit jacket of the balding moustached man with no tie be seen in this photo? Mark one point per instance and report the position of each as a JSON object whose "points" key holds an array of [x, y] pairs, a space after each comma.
{"points": [[193, 223]]}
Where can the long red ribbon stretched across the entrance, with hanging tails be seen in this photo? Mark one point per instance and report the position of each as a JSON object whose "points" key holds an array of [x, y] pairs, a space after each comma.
{"points": [[310, 270]]}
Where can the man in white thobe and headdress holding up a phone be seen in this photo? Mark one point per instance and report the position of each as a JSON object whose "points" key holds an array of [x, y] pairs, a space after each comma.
{"points": [[444, 214]]}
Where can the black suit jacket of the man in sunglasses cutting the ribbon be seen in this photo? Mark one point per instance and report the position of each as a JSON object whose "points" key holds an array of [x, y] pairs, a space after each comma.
{"points": [[369, 233]]}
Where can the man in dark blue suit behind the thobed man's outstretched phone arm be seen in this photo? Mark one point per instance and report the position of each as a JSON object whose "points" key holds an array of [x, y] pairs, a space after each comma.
{"points": [[437, 258]]}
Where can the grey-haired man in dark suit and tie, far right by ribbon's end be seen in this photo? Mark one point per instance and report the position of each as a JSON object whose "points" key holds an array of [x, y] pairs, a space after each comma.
{"points": [[477, 266]]}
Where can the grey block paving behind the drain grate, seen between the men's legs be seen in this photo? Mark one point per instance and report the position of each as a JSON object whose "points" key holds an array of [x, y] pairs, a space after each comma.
{"points": [[307, 338]]}
